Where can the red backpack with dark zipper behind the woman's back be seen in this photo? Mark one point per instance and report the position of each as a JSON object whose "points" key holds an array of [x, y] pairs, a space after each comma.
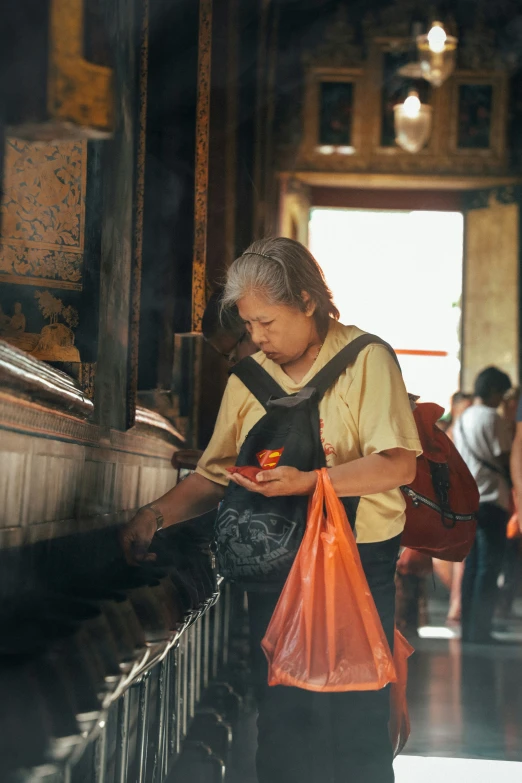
{"points": [[442, 501]]}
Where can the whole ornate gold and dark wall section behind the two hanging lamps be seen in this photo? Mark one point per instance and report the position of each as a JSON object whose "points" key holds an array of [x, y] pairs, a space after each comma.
{"points": [[353, 77]]}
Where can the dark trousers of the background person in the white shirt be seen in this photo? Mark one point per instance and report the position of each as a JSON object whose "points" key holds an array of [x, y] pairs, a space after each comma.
{"points": [[481, 571]]}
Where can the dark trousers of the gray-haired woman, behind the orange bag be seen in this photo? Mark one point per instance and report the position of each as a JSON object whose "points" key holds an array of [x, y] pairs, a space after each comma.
{"points": [[306, 737]]}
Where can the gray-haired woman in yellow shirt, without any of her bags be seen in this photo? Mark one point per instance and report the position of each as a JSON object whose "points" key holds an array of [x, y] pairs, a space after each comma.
{"points": [[370, 443]]}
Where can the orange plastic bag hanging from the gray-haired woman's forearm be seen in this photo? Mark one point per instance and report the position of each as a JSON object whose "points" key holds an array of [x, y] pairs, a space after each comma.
{"points": [[325, 633]]}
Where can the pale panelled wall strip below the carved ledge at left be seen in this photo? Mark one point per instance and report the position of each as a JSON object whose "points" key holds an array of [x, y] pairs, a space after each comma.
{"points": [[50, 488]]}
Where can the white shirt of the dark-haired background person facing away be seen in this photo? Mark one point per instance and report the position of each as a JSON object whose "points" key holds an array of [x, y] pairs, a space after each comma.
{"points": [[482, 433]]}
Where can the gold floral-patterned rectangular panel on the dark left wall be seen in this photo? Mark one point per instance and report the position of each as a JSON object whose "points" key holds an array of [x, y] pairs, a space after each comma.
{"points": [[42, 214]]}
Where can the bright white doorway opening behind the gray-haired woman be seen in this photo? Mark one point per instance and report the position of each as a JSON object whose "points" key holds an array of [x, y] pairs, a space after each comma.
{"points": [[399, 275]]}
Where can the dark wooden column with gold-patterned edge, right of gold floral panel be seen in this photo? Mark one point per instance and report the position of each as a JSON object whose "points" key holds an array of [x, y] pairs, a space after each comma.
{"points": [[122, 172]]}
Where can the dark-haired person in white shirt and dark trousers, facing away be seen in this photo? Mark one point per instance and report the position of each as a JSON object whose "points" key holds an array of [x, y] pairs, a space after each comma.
{"points": [[484, 442]]}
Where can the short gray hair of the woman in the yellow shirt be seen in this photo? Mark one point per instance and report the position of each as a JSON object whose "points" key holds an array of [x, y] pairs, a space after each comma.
{"points": [[282, 270]]}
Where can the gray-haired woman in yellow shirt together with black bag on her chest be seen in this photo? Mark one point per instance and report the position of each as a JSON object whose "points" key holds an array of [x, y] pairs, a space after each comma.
{"points": [[314, 396]]}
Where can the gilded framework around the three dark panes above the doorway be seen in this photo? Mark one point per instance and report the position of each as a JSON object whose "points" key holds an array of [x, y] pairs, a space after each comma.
{"points": [[440, 157]]}
